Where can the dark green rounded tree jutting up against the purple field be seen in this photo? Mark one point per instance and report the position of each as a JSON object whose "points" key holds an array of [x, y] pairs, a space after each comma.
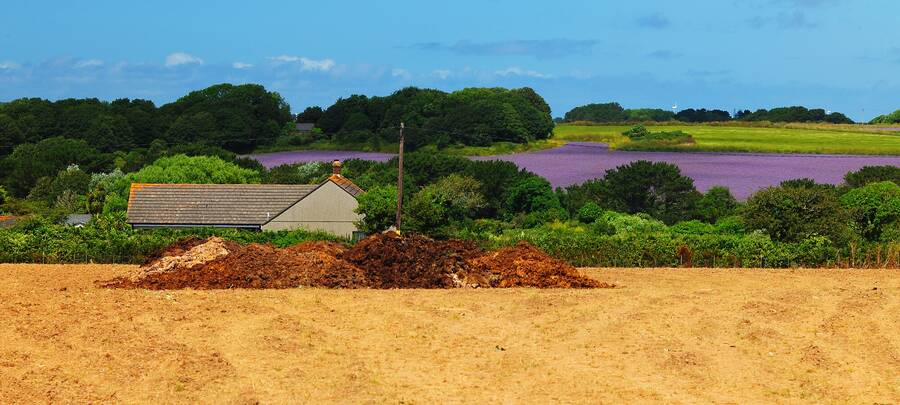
{"points": [[655, 188]]}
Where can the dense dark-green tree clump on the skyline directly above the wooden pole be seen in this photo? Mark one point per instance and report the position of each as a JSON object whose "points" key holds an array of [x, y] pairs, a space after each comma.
{"points": [[472, 116]]}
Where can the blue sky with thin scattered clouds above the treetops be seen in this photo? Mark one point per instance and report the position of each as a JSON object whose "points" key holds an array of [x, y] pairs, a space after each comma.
{"points": [[840, 55]]}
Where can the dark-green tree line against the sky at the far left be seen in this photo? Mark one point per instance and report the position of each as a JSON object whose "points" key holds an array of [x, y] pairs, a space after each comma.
{"points": [[237, 118]]}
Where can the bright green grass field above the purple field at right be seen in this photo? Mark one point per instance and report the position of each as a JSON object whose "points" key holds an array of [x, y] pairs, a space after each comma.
{"points": [[809, 139]]}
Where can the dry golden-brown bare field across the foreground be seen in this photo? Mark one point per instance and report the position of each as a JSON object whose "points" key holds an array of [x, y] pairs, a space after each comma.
{"points": [[722, 336]]}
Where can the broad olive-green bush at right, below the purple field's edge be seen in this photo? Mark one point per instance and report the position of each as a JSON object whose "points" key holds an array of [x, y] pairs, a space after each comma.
{"points": [[793, 213]]}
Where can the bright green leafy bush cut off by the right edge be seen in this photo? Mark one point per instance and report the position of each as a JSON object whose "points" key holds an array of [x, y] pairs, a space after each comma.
{"points": [[874, 208]]}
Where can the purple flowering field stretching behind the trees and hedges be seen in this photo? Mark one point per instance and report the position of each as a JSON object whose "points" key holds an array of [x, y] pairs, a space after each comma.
{"points": [[576, 162]]}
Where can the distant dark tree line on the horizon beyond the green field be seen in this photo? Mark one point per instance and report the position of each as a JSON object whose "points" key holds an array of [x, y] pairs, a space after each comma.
{"points": [[615, 113]]}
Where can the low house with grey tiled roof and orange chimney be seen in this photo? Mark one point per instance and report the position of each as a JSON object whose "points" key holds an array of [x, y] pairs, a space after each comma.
{"points": [[327, 206]]}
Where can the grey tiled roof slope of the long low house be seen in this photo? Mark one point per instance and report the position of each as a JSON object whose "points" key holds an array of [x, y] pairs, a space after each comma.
{"points": [[211, 204]]}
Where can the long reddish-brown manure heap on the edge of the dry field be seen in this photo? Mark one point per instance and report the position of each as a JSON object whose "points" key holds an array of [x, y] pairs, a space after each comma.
{"points": [[380, 261]]}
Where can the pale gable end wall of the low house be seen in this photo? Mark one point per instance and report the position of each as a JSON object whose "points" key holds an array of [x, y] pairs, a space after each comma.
{"points": [[329, 208]]}
